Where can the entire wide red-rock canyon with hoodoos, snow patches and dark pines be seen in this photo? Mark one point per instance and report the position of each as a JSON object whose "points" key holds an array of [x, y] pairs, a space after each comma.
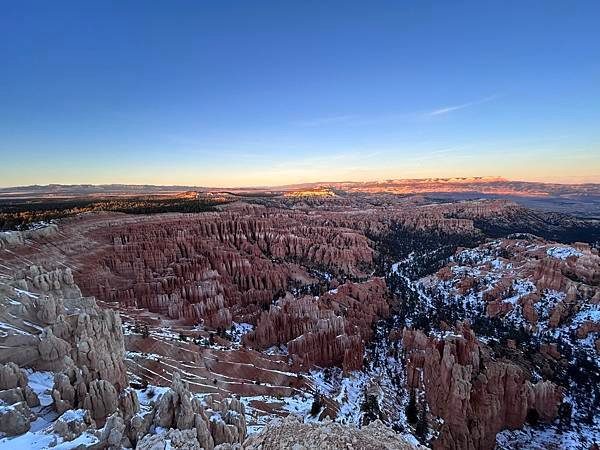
{"points": [[208, 327]]}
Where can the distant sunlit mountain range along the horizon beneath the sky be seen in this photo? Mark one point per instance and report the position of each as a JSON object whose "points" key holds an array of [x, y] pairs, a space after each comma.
{"points": [[579, 199]]}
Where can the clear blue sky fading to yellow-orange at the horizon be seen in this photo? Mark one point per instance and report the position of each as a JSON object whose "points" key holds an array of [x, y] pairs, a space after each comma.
{"points": [[241, 93]]}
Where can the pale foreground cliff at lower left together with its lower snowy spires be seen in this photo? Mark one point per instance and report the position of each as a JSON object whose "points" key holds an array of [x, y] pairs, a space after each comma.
{"points": [[56, 329]]}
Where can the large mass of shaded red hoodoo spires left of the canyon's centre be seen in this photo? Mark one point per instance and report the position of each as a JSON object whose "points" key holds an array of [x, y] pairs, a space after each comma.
{"points": [[210, 267]]}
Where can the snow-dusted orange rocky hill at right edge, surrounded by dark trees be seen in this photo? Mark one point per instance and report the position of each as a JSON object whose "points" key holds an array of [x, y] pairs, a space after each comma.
{"points": [[531, 280]]}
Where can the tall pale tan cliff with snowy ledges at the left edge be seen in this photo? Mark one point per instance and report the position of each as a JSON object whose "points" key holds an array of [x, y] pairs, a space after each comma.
{"points": [[51, 327]]}
